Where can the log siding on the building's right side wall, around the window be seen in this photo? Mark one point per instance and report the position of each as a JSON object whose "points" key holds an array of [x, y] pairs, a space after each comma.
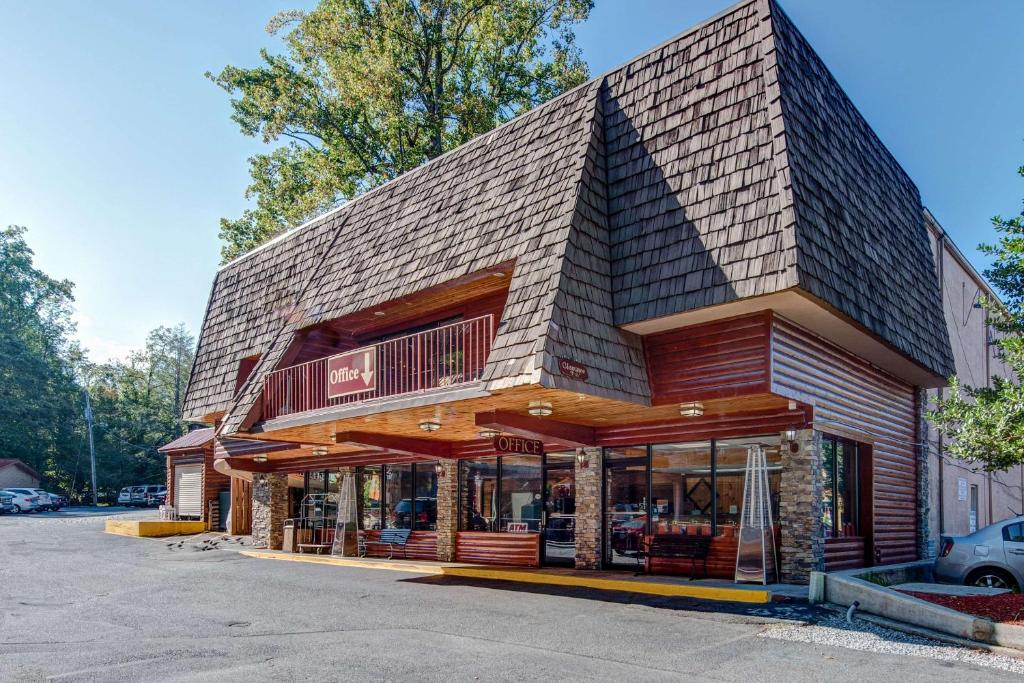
{"points": [[856, 400]]}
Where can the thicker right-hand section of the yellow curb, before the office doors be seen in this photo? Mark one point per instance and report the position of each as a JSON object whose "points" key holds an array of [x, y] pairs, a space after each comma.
{"points": [[646, 587]]}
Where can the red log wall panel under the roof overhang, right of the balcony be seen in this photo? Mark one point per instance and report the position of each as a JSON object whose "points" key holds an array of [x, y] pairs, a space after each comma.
{"points": [[719, 360]]}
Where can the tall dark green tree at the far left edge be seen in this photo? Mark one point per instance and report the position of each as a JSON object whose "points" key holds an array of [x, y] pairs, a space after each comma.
{"points": [[39, 399]]}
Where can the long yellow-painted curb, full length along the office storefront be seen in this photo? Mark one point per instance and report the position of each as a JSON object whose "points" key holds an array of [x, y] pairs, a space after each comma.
{"points": [[719, 593]]}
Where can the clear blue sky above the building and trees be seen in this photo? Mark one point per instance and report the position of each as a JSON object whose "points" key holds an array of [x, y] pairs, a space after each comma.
{"points": [[120, 158]]}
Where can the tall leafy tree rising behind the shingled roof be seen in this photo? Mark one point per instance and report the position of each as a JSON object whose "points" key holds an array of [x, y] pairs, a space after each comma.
{"points": [[369, 90]]}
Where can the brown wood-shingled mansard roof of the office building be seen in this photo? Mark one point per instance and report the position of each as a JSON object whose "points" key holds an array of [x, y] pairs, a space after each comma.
{"points": [[724, 164]]}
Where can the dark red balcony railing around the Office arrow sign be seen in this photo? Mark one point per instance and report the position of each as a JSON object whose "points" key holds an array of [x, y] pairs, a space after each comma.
{"points": [[445, 357]]}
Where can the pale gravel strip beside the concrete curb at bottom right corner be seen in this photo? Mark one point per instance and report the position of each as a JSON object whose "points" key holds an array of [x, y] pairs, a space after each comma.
{"points": [[867, 637]]}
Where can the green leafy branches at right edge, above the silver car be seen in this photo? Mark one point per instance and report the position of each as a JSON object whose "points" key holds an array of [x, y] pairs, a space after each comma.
{"points": [[987, 424]]}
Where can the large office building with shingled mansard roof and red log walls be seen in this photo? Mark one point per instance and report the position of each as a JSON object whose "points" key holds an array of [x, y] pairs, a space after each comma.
{"points": [[701, 253]]}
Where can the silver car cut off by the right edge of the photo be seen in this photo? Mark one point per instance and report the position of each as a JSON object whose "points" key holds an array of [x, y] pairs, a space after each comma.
{"points": [[993, 557]]}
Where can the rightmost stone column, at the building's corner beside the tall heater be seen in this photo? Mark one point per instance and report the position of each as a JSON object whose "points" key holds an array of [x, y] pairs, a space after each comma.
{"points": [[802, 544]]}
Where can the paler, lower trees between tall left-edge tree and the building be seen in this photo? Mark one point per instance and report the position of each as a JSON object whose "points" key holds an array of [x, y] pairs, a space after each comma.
{"points": [[137, 407]]}
